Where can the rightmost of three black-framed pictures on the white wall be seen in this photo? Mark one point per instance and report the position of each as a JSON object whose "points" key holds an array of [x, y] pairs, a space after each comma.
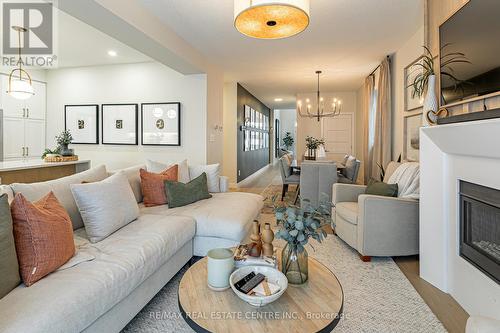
{"points": [[161, 124]]}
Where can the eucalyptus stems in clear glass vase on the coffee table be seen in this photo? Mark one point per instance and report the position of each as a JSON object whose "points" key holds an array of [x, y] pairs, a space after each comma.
{"points": [[296, 226]]}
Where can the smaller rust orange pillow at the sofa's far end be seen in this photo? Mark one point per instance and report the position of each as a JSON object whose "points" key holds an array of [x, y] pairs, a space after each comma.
{"points": [[153, 187]]}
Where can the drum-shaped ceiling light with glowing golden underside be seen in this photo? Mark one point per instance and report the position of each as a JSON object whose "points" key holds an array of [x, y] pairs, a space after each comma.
{"points": [[268, 19]]}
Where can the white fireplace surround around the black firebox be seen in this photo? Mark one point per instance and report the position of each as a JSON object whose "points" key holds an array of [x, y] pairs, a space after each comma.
{"points": [[468, 152]]}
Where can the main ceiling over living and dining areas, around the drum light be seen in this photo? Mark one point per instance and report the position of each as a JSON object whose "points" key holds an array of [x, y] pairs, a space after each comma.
{"points": [[346, 39]]}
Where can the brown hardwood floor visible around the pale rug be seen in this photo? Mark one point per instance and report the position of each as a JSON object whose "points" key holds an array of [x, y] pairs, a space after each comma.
{"points": [[448, 311]]}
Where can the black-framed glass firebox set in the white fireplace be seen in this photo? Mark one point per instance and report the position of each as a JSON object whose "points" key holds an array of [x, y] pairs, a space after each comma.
{"points": [[480, 227]]}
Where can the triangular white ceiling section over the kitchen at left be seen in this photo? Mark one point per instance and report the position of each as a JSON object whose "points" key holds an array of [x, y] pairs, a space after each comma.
{"points": [[79, 44]]}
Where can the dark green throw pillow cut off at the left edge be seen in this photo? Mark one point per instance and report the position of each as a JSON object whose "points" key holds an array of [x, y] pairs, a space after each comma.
{"points": [[9, 267]]}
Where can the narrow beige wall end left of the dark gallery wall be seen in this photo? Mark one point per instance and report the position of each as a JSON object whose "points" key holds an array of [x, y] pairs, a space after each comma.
{"points": [[229, 165]]}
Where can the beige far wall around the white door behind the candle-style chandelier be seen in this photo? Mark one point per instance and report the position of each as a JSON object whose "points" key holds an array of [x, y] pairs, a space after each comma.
{"points": [[311, 127]]}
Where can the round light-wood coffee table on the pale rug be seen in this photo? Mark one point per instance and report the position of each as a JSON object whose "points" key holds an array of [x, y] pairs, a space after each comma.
{"points": [[315, 306]]}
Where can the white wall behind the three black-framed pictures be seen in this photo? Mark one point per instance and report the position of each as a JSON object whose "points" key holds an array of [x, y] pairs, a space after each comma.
{"points": [[131, 83]]}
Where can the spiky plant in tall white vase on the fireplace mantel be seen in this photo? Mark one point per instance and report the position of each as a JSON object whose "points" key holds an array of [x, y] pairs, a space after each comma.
{"points": [[425, 81]]}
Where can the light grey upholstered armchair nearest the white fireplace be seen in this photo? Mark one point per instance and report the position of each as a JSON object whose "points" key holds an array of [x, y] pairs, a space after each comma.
{"points": [[375, 225]]}
